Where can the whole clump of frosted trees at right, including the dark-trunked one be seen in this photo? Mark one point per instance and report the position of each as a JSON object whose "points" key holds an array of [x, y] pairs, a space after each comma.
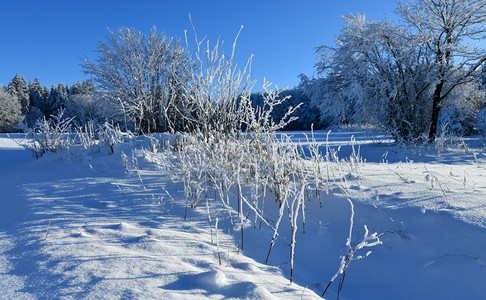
{"points": [[402, 75]]}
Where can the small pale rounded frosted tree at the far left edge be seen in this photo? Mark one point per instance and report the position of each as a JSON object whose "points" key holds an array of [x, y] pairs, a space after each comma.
{"points": [[10, 112]]}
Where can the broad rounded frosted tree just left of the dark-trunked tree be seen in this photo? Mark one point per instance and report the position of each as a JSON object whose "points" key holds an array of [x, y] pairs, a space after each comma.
{"points": [[377, 74]]}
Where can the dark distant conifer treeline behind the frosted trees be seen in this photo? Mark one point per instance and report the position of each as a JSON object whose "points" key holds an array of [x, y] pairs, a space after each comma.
{"points": [[25, 102]]}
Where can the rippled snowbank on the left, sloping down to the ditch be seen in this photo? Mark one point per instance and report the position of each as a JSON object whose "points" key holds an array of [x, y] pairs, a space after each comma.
{"points": [[110, 237]]}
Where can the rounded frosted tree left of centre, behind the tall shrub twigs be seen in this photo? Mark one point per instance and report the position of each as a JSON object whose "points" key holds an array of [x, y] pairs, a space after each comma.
{"points": [[140, 76]]}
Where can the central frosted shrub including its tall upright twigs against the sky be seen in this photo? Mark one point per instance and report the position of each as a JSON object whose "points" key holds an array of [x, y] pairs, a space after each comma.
{"points": [[233, 158]]}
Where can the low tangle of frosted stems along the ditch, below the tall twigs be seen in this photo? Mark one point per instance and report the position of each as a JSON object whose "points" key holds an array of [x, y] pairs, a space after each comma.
{"points": [[242, 170]]}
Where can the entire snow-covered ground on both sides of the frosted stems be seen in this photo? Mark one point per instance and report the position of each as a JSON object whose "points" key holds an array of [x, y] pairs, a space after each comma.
{"points": [[82, 226]]}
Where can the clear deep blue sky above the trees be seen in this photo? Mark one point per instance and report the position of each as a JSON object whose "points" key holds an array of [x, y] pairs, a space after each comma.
{"points": [[46, 39]]}
